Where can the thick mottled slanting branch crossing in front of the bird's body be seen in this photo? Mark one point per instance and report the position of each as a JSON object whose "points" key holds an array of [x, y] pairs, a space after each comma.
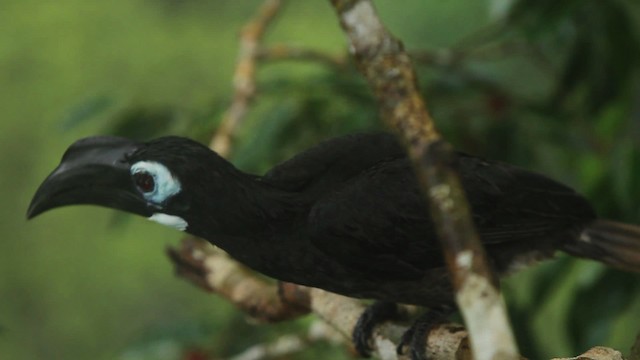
{"points": [[382, 60]]}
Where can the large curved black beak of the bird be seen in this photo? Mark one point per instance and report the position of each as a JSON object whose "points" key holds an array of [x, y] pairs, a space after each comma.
{"points": [[94, 171]]}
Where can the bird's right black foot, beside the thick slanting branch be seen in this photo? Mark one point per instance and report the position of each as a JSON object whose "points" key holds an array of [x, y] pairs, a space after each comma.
{"points": [[416, 337]]}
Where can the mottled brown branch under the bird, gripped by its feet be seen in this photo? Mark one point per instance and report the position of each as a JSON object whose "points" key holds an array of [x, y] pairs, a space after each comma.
{"points": [[210, 269]]}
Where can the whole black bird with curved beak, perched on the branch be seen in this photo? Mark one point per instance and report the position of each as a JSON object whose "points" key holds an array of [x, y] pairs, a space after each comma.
{"points": [[345, 215]]}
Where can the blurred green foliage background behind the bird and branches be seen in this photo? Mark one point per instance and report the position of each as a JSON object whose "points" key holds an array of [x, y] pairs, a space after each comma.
{"points": [[550, 85]]}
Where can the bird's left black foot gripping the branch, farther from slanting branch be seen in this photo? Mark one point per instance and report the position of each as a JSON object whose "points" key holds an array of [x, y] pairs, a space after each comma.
{"points": [[378, 312]]}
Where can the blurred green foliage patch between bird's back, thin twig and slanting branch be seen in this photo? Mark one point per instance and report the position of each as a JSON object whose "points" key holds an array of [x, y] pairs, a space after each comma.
{"points": [[286, 120]]}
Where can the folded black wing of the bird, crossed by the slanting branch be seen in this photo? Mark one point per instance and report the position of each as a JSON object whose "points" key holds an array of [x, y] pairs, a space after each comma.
{"points": [[377, 222]]}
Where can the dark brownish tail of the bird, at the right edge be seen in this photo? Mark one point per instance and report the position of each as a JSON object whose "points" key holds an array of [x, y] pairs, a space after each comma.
{"points": [[610, 242]]}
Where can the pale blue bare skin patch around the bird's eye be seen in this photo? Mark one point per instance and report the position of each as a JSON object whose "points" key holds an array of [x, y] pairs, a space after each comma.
{"points": [[166, 185]]}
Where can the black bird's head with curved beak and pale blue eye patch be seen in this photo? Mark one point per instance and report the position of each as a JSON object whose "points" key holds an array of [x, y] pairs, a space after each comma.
{"points": [[162, 180]]}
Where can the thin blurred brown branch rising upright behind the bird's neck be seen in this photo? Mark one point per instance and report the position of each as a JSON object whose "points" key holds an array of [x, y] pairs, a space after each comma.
{"points": [[244, 76]]}
